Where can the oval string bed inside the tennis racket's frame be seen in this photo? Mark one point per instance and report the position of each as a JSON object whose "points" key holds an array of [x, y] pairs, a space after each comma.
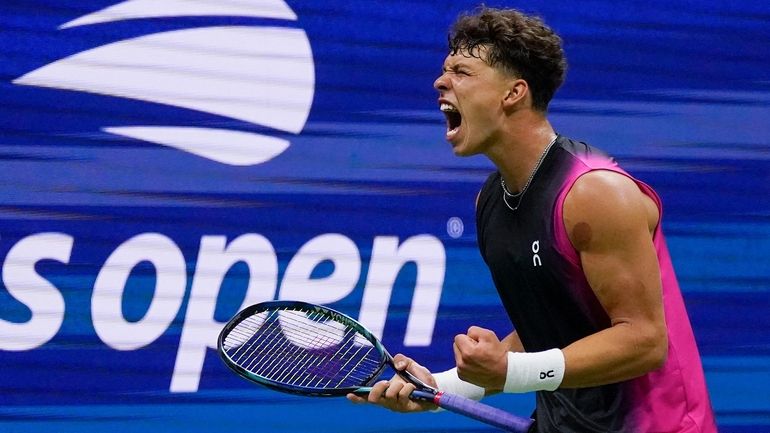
{"points": [[302, 349]]}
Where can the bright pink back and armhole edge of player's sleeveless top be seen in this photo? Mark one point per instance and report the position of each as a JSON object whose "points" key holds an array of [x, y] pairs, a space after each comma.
{"points": [[673, 398]]}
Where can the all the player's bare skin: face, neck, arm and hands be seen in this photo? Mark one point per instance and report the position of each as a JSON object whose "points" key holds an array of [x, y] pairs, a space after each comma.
{"points": [[609, 222]]}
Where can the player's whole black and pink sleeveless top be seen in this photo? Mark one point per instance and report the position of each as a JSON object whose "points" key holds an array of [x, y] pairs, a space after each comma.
{"points": [[540, 280]]}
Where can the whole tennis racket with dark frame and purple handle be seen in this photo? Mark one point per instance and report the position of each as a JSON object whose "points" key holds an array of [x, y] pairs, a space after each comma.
{"points": [[308, 349]]}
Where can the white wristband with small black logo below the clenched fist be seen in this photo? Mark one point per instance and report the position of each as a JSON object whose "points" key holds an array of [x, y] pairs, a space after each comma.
{"points": [[538, 371]]}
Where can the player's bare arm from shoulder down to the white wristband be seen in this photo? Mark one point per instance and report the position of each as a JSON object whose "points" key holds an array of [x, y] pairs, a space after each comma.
{"points": [[609, 221]]}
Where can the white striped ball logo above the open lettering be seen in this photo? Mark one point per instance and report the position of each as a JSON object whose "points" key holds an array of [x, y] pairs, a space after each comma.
{"points": [[261, 75]]}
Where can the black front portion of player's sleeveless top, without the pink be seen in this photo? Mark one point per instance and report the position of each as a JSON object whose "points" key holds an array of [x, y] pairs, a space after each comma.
{"points": [[534, 282]]}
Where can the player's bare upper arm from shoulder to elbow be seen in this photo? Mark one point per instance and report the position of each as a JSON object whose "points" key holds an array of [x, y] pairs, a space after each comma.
{"points": [[608, 222]]}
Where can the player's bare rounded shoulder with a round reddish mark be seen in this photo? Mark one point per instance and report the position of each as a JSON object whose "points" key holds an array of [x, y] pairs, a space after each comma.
{"points": [[605, 206]]}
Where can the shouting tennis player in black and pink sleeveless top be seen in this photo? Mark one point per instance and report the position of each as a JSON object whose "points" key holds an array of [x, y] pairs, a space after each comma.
{"points": [[575, 249]]}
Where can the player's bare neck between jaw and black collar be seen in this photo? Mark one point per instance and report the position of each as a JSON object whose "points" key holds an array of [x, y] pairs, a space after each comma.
{"points": [[520, 148]]}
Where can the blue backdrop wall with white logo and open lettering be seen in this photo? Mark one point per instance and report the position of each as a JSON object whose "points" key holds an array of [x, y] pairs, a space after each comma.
{"points": [[166, 162]]}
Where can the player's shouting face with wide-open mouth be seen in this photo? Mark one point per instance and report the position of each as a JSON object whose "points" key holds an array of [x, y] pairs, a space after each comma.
{"points": [[471, 95]]}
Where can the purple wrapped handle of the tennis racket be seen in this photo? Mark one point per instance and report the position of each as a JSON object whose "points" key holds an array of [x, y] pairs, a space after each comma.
{"points": [[482, 412]]}
